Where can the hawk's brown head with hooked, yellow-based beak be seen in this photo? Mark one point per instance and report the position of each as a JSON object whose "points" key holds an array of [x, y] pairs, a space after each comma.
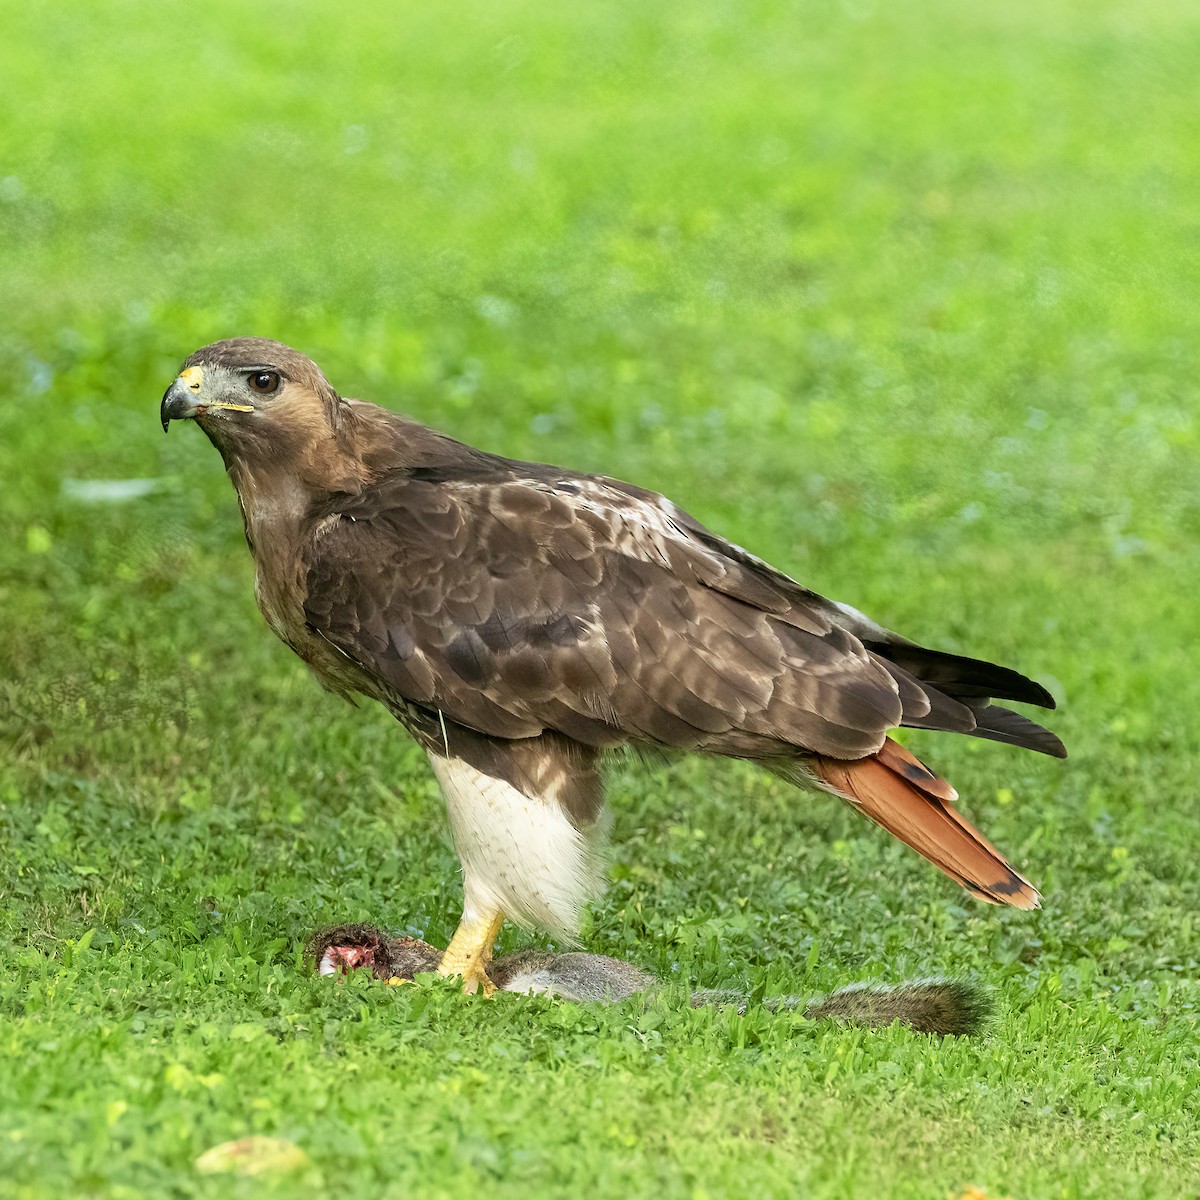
{"points": [[254, 397]]}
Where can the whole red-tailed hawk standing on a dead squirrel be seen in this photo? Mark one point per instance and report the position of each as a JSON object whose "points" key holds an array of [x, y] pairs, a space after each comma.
{"points": [[521, 621]]}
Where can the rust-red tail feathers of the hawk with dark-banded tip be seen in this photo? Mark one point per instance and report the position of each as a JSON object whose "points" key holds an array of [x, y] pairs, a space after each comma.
{"points": [[904, 796]]}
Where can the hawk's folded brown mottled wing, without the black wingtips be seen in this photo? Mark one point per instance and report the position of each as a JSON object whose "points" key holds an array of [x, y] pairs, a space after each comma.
{"points": [[517, 605]]}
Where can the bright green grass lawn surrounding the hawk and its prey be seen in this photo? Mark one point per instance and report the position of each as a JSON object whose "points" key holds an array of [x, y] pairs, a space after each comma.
{"points": [[903, 297]]}
